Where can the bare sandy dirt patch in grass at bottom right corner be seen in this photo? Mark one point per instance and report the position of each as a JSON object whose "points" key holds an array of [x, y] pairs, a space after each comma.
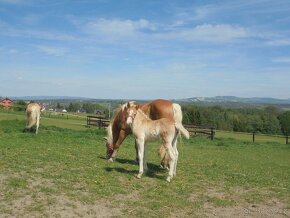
{"points": [[271, 207]]}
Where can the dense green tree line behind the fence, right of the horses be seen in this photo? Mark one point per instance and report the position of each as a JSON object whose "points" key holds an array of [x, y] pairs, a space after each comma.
{"points": [[268, 120]]}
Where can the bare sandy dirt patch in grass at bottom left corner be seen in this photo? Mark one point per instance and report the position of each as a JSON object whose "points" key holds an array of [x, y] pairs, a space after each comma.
{"points": [[56, 206]]}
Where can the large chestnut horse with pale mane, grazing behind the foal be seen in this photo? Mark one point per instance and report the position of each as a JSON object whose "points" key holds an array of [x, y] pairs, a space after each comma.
{"points": [[118, 130]]}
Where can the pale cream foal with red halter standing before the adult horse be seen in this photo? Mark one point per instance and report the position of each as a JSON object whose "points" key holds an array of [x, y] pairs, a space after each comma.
{"points": [[145, 129]]}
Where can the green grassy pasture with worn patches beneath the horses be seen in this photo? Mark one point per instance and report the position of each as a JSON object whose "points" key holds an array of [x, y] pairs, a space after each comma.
{"points": [[61, 172]]}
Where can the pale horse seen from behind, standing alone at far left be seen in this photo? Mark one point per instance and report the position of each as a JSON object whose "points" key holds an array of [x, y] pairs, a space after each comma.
{"points": [[33, 115]]}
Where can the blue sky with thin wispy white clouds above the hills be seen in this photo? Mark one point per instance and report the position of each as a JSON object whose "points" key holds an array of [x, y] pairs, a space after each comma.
{"points": [[145, 49]]}
